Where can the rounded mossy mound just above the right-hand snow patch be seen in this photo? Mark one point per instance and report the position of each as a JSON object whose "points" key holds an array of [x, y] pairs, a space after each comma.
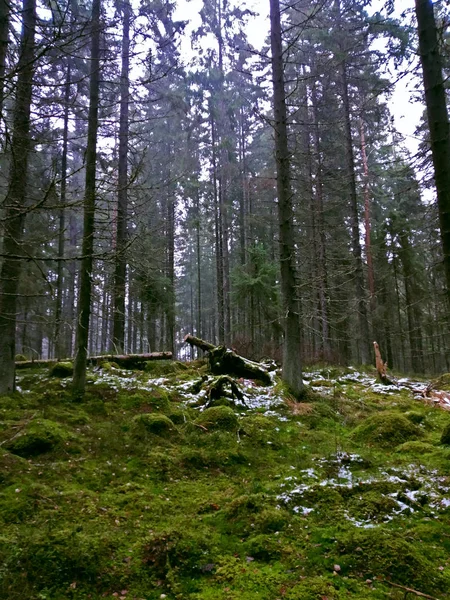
{"points": [[386, 429]]}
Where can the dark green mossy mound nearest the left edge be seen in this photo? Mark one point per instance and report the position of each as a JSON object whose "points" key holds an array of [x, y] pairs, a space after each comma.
{"points": [[39, 436]]}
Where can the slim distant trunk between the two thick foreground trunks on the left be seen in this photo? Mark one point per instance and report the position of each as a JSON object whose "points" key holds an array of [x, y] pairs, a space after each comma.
{"points": [[59, 340]]}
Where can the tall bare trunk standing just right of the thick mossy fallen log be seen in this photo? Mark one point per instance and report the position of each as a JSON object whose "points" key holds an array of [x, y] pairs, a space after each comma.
{"points": [[292, 372]]}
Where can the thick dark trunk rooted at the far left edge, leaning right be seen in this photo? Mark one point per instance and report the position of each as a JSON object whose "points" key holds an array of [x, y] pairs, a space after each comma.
{"points": [[14, 204]]}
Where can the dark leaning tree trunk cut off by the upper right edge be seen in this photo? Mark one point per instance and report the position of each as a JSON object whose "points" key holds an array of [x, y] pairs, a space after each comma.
{"points": [[438, 121]]}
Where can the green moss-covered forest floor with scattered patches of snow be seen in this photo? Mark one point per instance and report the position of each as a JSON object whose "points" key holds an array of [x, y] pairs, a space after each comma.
{"points": [[137, 493]]}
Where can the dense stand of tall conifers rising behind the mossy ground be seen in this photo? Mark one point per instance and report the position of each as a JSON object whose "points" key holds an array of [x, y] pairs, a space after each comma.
{"points": [[143, 199]]}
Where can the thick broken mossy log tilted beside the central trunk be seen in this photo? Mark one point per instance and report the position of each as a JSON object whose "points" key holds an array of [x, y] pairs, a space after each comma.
{"points": [[223, 361]]}
